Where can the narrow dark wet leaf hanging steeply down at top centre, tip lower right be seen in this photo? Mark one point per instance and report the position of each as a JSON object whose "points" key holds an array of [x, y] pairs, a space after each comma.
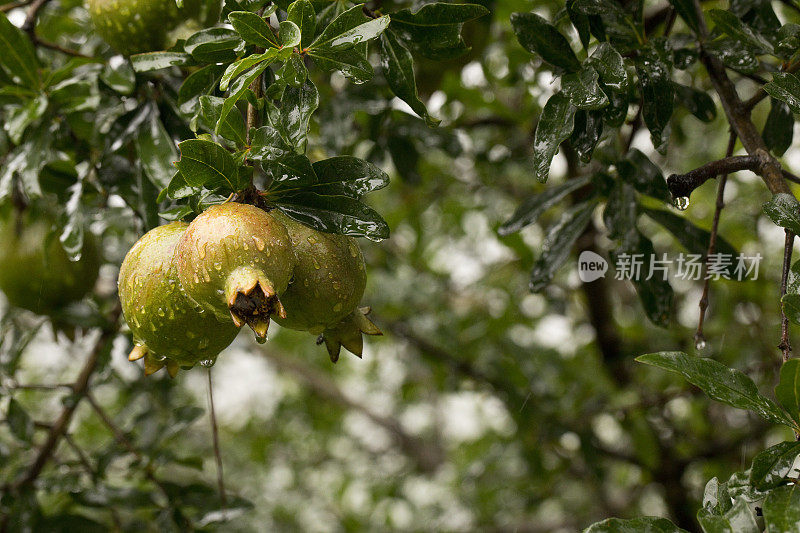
{"points": [[398, 68]]}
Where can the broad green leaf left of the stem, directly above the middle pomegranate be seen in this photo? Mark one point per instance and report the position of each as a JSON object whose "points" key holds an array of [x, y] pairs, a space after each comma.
{"points": [[207, 164]]}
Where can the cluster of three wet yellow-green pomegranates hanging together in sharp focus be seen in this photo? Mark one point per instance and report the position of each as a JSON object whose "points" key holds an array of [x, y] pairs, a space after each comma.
{"points": [[186, 289]]}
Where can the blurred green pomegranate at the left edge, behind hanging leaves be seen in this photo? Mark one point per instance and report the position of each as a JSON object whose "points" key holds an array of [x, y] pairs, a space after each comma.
{"points": [[35, 272]]}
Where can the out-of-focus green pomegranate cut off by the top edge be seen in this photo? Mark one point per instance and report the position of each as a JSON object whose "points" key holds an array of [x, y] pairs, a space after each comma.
{"points": [[135, 26]]}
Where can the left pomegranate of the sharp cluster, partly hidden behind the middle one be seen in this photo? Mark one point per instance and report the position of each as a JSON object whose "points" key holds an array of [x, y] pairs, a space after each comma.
{"points": [[168, 327]]}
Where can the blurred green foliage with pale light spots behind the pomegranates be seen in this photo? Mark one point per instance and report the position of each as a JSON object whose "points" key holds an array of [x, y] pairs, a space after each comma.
{"points": [[483, 407]]}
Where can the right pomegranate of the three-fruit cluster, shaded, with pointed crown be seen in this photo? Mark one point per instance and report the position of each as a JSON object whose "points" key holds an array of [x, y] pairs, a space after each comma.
{"points": [[328, 282]]}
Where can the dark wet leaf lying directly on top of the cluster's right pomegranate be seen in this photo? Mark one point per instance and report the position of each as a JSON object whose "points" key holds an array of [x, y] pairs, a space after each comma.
{"points": [[334, 214]]}
